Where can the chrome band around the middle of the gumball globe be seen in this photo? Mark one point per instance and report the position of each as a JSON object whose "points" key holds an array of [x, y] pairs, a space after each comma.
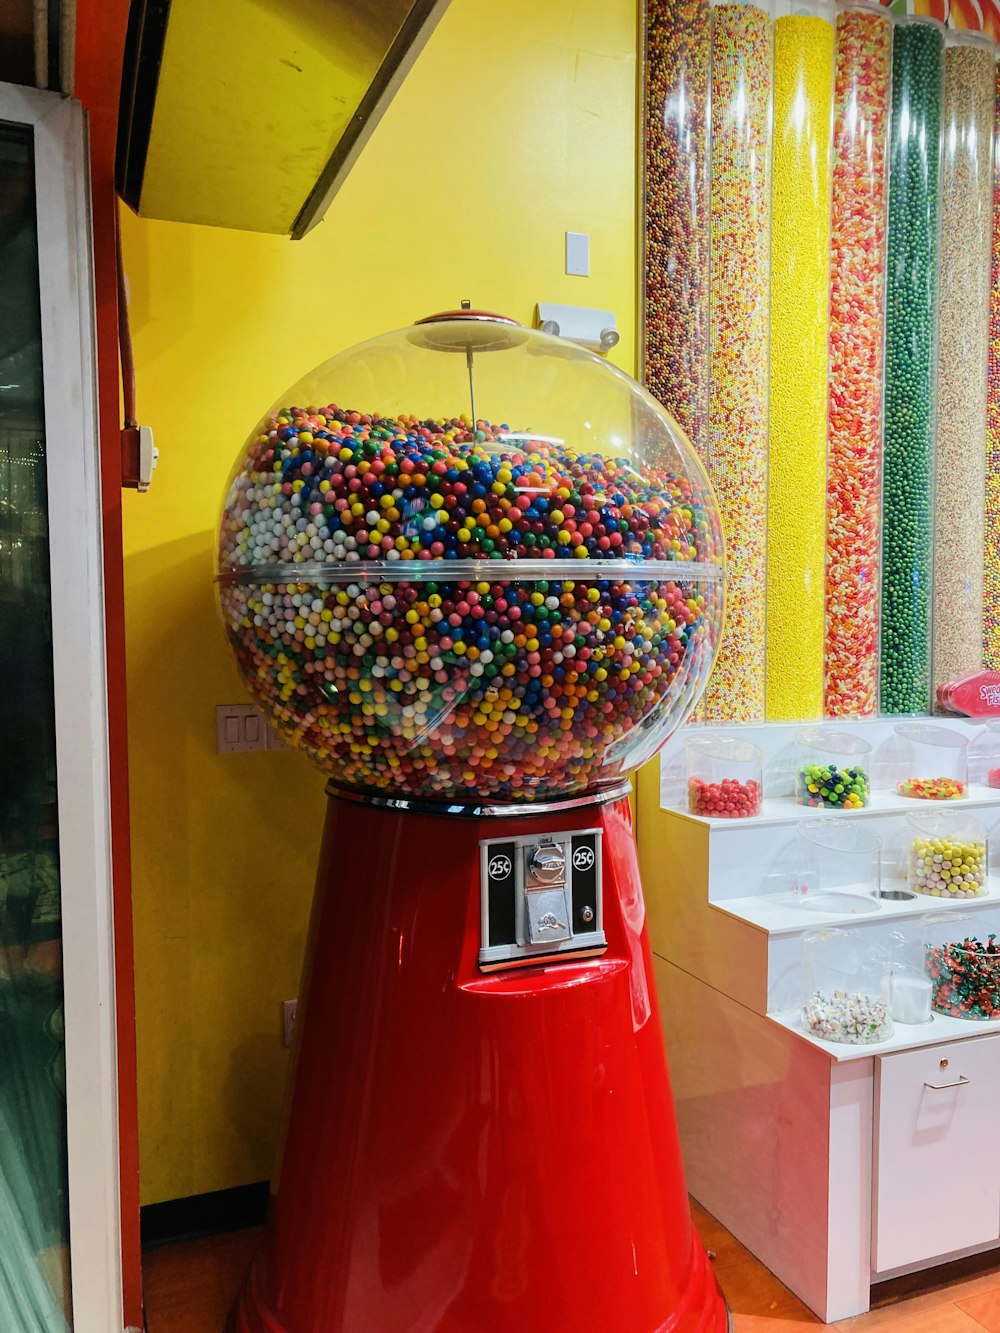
{"points": [[455, 571]]}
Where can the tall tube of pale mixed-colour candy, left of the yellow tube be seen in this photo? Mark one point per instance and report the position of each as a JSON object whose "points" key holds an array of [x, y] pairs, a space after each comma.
{"points": [[739, 341]]}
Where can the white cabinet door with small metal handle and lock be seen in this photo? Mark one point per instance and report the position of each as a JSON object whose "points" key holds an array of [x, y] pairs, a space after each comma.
{"points": [[937, 1152]]}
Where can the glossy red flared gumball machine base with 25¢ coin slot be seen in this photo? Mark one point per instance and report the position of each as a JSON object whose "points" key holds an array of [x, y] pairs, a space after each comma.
{"points": [[474, 1151]]}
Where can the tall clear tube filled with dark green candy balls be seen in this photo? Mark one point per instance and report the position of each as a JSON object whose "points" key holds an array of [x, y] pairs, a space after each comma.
{"points": [[911, 323]]}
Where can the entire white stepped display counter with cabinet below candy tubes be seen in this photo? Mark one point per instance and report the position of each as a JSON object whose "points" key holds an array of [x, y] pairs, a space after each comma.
{"points": [[821, 1158]]}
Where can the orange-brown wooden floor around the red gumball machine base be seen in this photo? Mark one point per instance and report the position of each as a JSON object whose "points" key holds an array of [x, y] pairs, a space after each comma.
{"points": [[191, 1287]]}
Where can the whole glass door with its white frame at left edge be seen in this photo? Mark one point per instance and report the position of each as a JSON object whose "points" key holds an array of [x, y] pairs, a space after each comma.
{"points": [[59, 1224]]}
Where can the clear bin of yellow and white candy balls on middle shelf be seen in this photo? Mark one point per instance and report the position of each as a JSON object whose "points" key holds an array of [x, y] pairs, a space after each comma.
{"points": [[947, 855]]}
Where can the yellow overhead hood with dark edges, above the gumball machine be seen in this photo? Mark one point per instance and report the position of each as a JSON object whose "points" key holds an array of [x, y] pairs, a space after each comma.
{"points": [[250, 114]]}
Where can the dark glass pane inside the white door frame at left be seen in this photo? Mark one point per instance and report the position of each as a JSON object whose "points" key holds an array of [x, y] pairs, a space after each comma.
{"points": [[34, 1172]]}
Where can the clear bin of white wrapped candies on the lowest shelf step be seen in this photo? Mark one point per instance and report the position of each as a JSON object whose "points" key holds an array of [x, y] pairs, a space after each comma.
{"points": [[847, 995]]}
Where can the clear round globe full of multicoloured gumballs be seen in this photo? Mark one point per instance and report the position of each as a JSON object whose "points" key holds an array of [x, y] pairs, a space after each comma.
{"points": [[471, 562]]}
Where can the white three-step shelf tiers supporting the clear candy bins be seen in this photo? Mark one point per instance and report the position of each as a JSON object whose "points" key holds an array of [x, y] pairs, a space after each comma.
{"points": [[747, 946]]}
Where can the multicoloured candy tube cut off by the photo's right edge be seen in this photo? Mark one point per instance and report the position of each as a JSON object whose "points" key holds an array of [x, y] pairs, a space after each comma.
{"points": [[991, 541]]}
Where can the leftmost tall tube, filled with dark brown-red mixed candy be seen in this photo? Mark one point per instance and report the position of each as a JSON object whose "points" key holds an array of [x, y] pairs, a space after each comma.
{"points": [[675, 238]]}
